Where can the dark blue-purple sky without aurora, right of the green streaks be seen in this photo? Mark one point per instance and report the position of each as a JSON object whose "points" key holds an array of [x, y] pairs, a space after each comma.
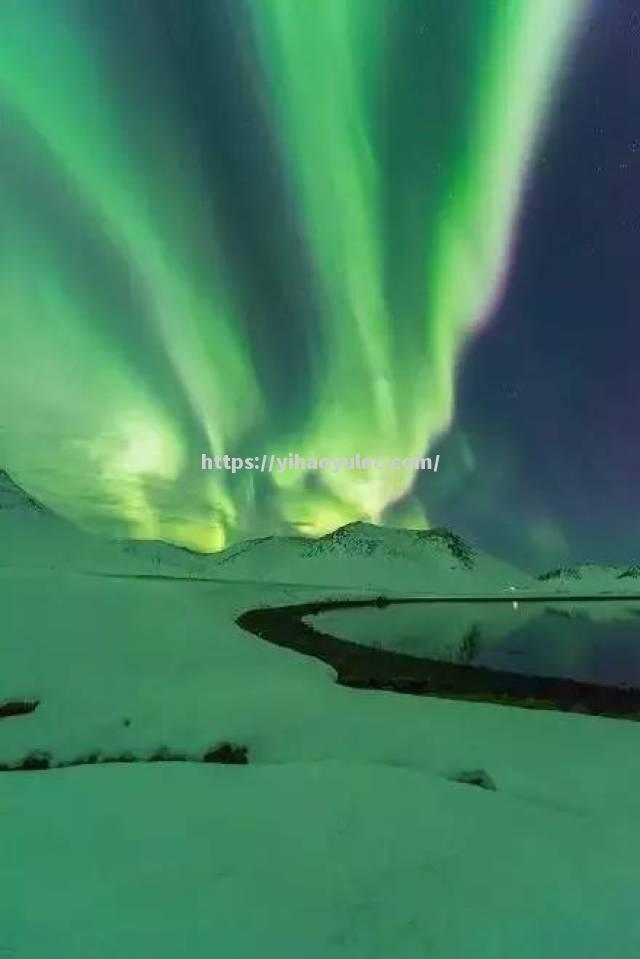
{"points": [[549, 395]]}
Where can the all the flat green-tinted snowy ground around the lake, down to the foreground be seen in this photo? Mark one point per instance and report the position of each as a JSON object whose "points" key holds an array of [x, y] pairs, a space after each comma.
{"points": [[345, 837]]}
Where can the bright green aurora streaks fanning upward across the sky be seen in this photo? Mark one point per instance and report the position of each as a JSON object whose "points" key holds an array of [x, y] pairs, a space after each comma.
{"points": [[261, 225]]}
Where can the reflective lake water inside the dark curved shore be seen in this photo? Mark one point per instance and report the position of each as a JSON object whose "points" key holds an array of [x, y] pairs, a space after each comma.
{"points": [[589, 641]]}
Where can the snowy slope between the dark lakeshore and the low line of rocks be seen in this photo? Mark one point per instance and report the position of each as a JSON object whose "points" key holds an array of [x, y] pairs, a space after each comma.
{"points": [[169, 657]]}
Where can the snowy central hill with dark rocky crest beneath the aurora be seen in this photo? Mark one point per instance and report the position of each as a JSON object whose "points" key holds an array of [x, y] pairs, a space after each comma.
{"points": [[361, 555]]}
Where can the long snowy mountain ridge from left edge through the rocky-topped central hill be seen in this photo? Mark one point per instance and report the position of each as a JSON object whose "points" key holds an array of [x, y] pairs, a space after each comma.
{"points": [[360, 555]]}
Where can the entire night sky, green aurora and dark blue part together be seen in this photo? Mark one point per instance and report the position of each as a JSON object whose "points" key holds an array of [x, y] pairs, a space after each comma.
{"points": [[375, 226]]}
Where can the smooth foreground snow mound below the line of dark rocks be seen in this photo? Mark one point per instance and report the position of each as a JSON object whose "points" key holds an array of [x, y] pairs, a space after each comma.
{"points": [[322, 860]]}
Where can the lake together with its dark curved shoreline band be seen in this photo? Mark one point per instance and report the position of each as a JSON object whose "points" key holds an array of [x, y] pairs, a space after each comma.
{"points": [[579, 655]]}
